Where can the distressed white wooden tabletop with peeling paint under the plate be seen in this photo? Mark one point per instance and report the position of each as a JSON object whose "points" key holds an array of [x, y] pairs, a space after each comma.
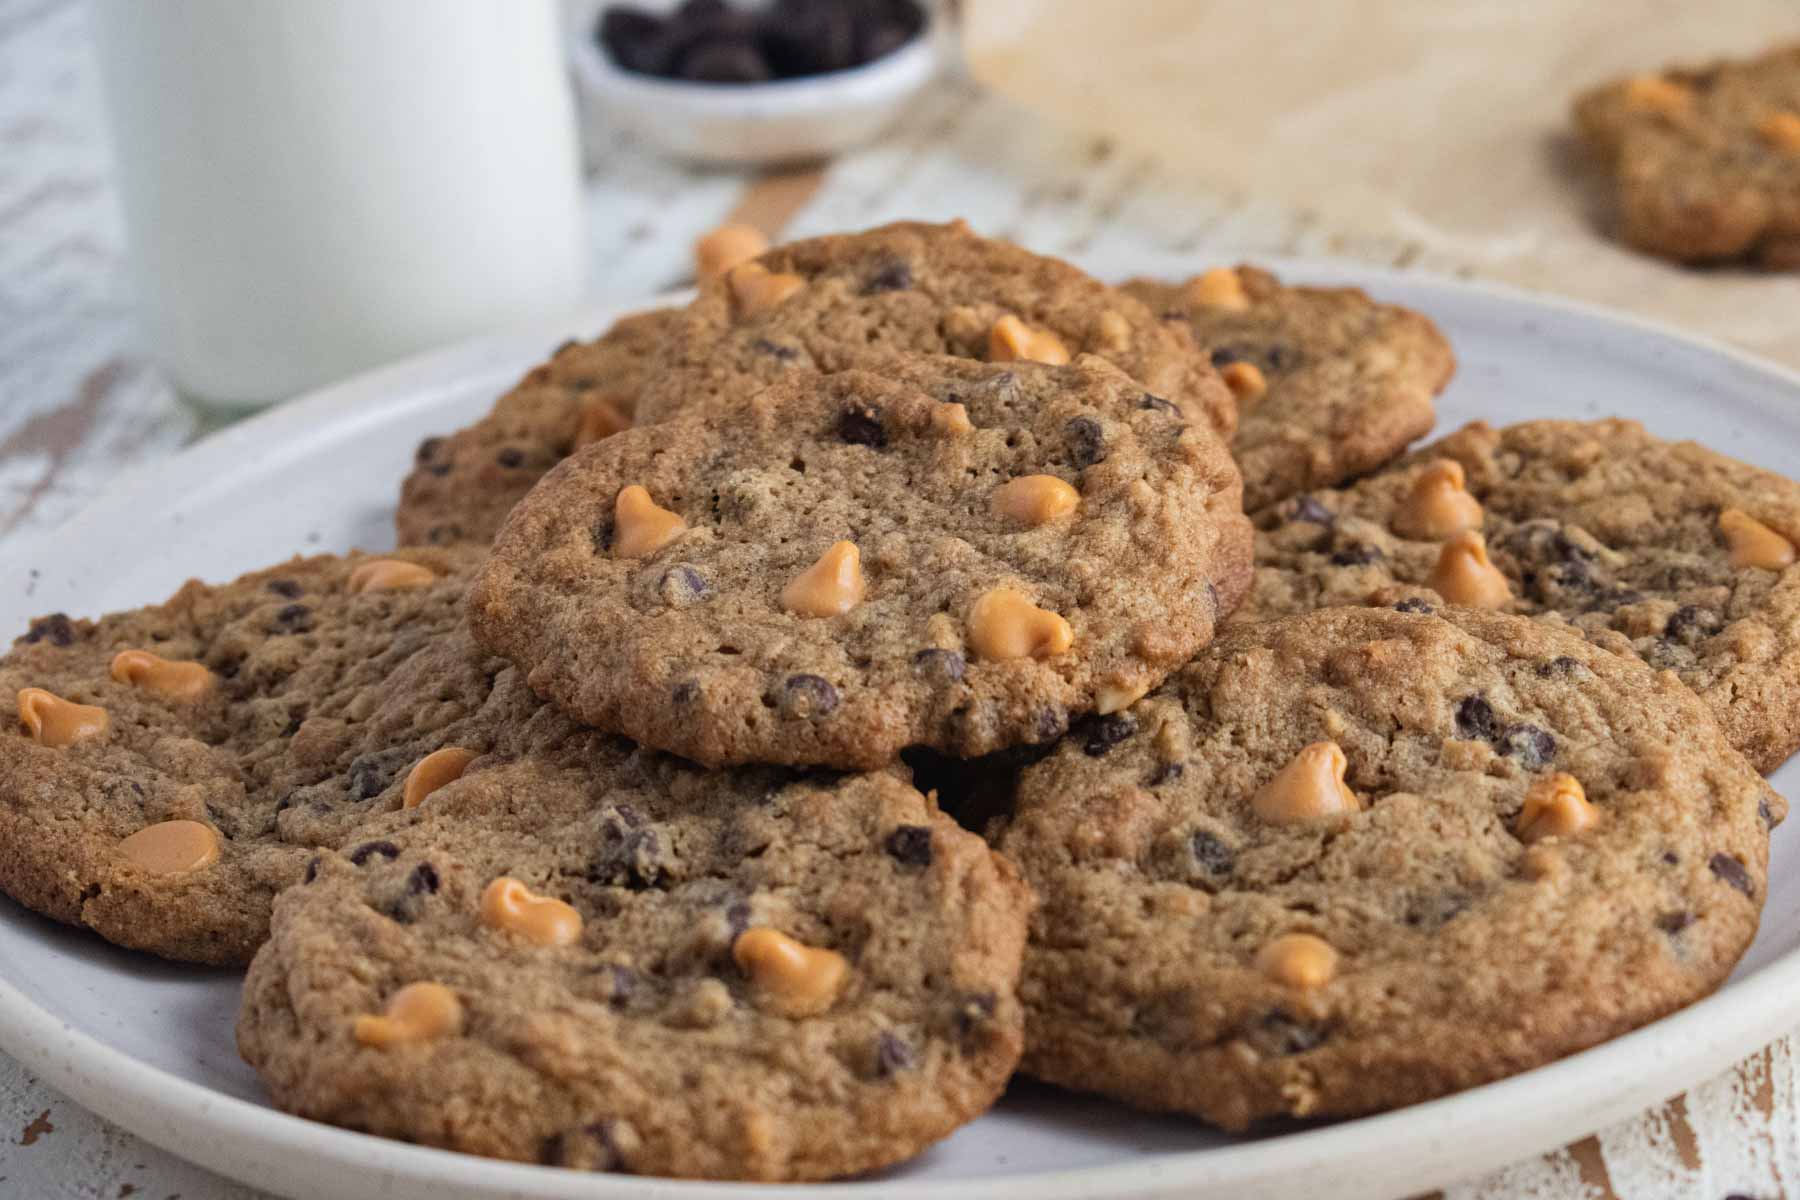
{"points": [[80, 402]]}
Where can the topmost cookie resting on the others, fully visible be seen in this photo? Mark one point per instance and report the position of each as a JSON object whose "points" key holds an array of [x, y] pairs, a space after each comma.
{"points": [[951, 553]]}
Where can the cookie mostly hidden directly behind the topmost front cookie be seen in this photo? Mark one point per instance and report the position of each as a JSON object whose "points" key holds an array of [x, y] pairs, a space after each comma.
{"points": [[859, 300]]}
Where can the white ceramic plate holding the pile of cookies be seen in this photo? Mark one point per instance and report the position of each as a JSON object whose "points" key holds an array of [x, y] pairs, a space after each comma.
{"points": [[150, 1046]]}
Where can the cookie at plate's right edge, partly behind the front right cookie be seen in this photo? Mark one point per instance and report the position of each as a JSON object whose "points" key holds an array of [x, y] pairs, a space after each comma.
{"points": [[1662, 550]]}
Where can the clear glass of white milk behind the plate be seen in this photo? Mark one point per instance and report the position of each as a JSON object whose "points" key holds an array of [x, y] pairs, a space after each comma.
{"points": [[319, 186]]}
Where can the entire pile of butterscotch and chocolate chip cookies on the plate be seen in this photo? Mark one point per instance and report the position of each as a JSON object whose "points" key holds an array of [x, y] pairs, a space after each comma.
{"points": [[915, 663]]}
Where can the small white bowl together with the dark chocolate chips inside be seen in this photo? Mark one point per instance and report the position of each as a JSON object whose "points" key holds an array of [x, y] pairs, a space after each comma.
{"points": [[755, 84]]}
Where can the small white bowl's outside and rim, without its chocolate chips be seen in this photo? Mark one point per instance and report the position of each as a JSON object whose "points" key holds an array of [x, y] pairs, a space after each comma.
{"points": [[757, 123]]}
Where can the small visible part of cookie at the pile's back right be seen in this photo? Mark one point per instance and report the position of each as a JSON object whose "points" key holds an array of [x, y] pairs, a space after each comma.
{"points": [[1329, 384]]}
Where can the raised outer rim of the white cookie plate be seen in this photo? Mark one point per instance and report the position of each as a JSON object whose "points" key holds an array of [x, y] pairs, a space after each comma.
{"points": [[112, 1084]]}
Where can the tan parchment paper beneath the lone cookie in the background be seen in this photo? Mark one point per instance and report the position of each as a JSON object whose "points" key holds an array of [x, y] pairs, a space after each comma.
{"points": [[1437, 121]]}
